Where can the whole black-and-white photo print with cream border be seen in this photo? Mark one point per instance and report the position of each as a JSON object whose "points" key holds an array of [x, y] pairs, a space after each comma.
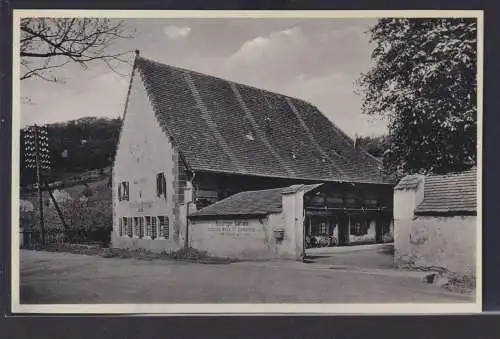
{"points": [[247, 162]]}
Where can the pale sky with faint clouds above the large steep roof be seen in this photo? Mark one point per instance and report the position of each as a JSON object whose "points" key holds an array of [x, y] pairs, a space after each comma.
{"points": [[317, 60]]}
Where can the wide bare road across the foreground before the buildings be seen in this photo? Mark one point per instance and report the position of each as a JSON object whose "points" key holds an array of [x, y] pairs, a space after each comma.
{"points": [[62, 278]]}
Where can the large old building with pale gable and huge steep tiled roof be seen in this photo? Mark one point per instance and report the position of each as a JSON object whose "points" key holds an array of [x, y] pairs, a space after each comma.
{"points": [[189, 140]]}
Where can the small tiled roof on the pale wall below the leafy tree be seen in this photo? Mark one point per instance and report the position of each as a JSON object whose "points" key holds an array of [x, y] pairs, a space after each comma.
{"points": [[452, 193]]}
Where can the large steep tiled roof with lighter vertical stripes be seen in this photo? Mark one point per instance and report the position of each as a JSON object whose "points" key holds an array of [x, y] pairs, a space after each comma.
{"points": [[222, 126]]}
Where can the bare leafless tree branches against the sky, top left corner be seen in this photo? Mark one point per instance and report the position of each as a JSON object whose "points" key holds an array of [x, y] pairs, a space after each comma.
{"points": [[50, 43]]}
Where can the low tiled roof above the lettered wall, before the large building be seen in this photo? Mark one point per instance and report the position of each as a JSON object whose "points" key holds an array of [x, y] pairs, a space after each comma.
{"points": [[245, 203]]}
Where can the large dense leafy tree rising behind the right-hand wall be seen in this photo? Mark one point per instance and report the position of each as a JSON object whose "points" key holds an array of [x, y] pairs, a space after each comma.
{"points": [[423, 81]]}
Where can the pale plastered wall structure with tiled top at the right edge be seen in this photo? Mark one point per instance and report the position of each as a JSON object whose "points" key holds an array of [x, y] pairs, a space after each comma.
{"points": [[436, 222]]}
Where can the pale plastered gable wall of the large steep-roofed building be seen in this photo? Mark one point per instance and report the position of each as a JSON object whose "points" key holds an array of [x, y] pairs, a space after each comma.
{"points": [[143, 151]]}
